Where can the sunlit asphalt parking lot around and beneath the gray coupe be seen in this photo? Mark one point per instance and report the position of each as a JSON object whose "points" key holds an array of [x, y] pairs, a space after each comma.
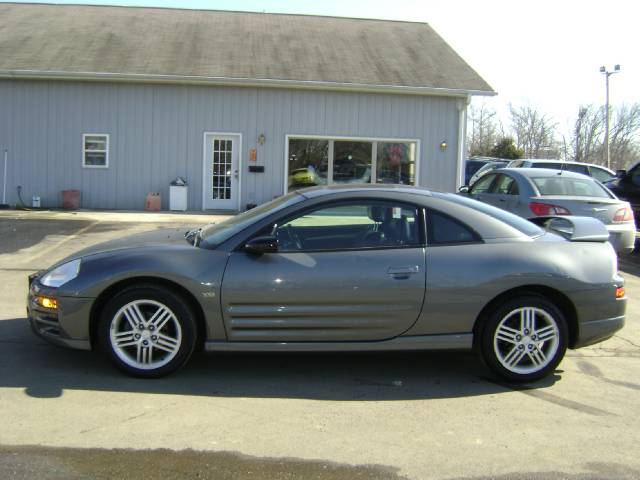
{"points": [[68, 414]]}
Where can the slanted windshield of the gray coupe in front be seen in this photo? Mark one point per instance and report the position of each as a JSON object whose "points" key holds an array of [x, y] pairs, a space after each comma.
{"points": [[216, 233]]}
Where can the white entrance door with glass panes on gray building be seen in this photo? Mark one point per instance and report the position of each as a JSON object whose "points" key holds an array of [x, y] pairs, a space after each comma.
{"points": [[221, 172]]}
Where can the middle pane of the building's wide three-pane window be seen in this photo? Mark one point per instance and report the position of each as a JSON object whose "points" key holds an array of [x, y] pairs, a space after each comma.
{"points": [[352, 162]]}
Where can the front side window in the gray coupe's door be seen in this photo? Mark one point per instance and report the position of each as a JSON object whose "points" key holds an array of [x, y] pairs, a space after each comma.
{"points": [[351, 226]]}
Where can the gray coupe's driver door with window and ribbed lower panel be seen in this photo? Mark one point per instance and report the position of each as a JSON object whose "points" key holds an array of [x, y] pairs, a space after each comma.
{"points": [[344, 272]]}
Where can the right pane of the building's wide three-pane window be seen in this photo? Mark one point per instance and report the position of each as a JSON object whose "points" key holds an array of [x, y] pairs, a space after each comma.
{"points": [[396, 163]]}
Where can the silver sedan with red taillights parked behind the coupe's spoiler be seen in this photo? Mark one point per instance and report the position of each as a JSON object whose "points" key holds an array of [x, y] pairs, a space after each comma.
{"points": [[539, 192]]}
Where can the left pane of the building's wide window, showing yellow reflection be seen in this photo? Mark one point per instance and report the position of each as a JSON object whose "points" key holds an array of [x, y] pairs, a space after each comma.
{"points": [[308, 163]]}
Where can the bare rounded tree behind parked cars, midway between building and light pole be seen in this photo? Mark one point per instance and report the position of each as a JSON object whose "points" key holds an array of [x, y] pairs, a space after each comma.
{"points": [[534, 132]]}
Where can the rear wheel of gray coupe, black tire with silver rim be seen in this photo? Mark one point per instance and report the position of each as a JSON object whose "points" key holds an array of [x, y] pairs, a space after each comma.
{"points": [[499, 349]]}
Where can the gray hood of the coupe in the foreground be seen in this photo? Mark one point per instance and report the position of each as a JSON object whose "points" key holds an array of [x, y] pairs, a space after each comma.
{"points": [[161, 237]]}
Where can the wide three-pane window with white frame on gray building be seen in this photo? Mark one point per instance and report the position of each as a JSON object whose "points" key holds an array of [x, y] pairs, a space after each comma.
{"points": [[324, 160]]}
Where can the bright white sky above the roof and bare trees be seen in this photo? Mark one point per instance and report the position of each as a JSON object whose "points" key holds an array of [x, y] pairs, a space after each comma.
{"points": [[546, 52]]}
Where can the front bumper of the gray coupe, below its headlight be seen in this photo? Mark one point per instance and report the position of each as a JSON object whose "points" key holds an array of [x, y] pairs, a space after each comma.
{"points": [[67, 325]]}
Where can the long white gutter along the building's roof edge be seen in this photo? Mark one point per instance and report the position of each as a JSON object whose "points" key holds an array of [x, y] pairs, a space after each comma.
{"points": [[243, 82]]}
